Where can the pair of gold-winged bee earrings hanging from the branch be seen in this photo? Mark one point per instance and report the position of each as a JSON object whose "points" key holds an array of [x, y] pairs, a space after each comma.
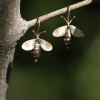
{"points": [[68, 31]]}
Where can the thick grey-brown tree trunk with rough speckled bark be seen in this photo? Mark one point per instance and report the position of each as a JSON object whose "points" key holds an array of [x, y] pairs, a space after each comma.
{"points": [[12, 27]]}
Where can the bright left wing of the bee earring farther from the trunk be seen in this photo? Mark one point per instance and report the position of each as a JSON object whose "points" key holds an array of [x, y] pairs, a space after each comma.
{"points": [[59, 31]]}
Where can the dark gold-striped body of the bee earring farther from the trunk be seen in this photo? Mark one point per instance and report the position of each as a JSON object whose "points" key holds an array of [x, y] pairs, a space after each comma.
{"points": [[68, 37]]}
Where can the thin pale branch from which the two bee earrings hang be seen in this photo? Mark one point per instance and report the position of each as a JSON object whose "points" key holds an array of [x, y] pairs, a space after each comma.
{"points": [[60, 11]]}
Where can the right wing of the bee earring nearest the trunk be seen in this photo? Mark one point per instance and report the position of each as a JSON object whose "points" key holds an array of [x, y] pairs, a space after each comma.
{"points": [[45, 45]]}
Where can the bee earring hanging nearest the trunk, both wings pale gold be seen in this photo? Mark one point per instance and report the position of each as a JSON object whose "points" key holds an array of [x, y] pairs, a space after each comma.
{"points": [[36, 44]]}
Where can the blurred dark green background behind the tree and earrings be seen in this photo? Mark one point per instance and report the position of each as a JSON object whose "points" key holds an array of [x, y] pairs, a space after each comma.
{"points": [[60, 74]]}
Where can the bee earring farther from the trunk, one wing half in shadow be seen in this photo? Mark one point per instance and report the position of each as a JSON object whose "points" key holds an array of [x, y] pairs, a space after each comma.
{"points": [[68, 31]]}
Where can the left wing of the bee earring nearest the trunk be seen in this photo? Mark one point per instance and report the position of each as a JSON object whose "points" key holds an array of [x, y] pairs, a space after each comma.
{"points": [[28, 45]]}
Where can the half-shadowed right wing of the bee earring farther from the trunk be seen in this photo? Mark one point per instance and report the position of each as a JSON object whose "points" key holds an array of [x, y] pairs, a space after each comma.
{"points": [[76, 32]]}
